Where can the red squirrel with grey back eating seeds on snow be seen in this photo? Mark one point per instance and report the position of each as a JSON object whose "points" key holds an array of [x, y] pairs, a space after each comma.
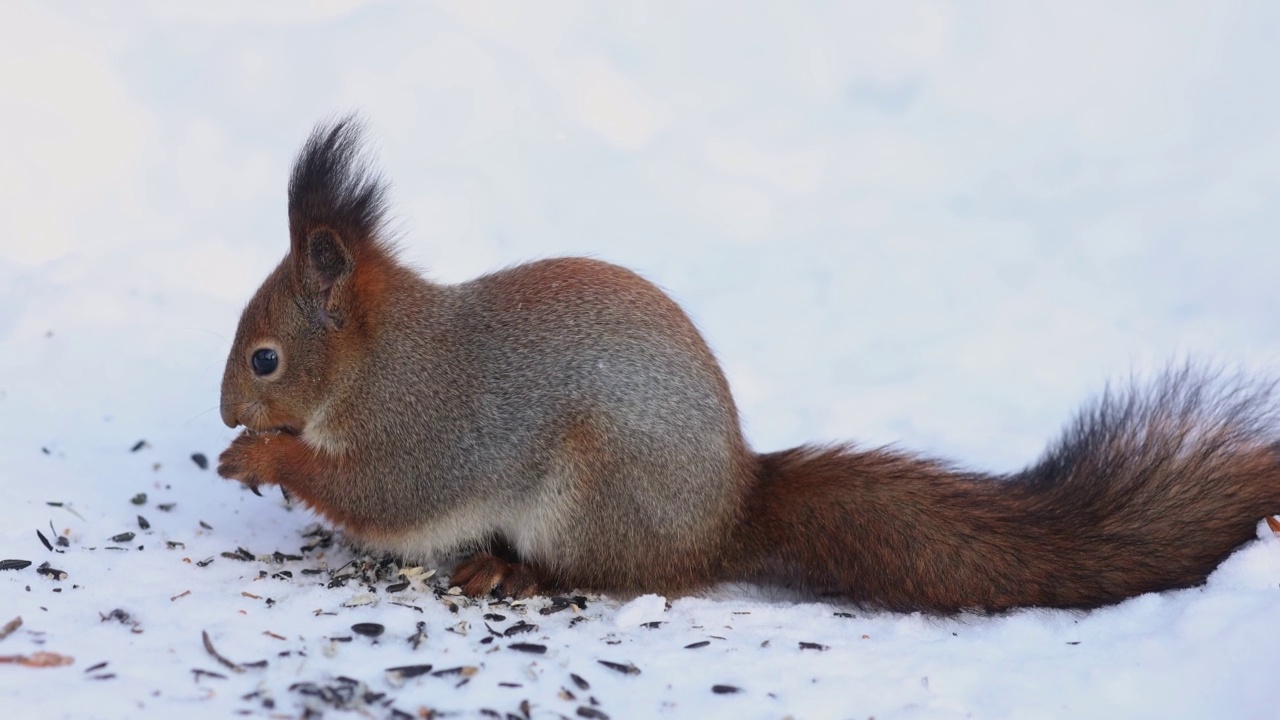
{"points": [[563, 425]]}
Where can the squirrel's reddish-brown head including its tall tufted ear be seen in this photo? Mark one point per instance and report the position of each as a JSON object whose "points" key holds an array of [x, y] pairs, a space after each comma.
{"points": [[314, 315]]}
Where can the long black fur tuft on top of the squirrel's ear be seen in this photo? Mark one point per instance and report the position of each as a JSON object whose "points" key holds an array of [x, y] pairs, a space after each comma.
{"points": [[333, 186]]}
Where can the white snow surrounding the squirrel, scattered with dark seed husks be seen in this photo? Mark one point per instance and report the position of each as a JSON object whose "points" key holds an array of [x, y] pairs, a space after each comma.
{"points": [[940, 225]]}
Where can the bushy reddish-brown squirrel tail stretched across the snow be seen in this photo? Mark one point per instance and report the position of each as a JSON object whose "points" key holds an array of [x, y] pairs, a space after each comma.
{"points": [[1146, 491]]}
